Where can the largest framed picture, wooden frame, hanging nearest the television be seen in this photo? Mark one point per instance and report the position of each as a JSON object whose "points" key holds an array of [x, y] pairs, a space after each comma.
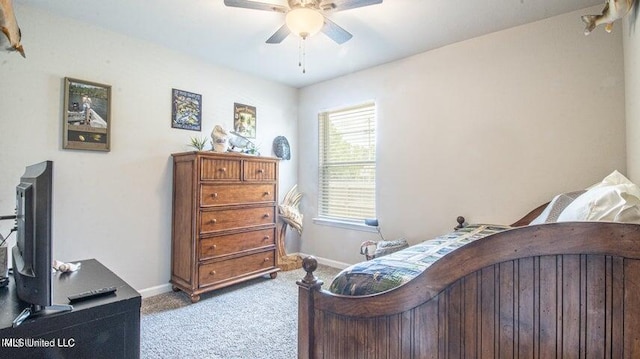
{"points": [[87, 115]]}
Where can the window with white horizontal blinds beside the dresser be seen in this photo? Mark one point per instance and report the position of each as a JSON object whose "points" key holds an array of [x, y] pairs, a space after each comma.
{"points": [[347, 159]]}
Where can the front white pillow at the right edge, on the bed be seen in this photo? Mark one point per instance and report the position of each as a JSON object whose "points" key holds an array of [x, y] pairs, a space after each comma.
{"points": [[615, 199]]}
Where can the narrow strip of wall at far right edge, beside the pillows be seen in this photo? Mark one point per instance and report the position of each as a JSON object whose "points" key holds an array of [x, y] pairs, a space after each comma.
{"points": [[632, 86]]}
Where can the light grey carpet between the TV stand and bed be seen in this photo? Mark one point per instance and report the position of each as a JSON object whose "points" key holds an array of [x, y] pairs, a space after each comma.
{"points": [[257, 319]]}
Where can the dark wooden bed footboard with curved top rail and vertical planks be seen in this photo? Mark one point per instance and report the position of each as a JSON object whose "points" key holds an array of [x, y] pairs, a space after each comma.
{"points": [[547, 291]]}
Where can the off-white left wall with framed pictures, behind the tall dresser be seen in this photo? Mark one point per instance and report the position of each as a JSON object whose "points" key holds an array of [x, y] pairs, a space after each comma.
{"points": [[116, 206]]}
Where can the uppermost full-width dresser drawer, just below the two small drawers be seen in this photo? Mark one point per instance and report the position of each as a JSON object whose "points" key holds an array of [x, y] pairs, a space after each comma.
{"points": [[226, 194]]}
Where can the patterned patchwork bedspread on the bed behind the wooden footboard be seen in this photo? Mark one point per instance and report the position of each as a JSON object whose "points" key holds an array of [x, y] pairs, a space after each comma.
{"points": [[390, 271]]}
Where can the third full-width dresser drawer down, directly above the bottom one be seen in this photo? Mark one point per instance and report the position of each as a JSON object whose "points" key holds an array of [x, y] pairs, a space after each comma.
{"points": [[234, 243]]}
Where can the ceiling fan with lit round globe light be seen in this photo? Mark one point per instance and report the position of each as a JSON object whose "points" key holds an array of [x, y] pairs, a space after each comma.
{"points": [[306, 17]]}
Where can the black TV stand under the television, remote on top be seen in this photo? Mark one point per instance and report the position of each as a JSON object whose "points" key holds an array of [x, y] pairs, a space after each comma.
{"points": [[103, 327]]}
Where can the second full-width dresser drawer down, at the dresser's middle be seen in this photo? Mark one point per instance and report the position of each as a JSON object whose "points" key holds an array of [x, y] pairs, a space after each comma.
{"points": [[219, 220]]}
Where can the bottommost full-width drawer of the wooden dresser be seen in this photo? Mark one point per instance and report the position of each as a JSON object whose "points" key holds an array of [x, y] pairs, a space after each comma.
{"points": [[224, 270]]}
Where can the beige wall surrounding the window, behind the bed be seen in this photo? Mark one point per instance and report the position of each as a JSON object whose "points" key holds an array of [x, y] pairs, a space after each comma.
{"points": [[487, 128]]}
